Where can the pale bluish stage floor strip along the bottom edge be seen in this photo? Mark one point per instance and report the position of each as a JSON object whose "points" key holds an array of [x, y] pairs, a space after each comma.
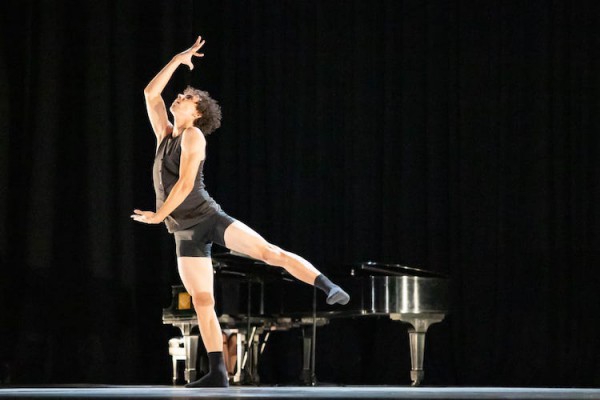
{"points": [[319, 392]]}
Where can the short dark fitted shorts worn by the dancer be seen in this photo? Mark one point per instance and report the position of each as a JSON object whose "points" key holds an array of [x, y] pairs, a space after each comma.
{"points": [[196, 241]]}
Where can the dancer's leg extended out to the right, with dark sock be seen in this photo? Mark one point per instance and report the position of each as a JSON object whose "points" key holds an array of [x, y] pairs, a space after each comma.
{"points": [[241, 238]]}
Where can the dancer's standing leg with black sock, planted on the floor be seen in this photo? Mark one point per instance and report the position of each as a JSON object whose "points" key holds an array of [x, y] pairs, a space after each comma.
{"points": [[197, 276]]}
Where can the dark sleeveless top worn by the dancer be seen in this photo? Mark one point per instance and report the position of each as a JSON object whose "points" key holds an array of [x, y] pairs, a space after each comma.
{"points": [[197, 205]]}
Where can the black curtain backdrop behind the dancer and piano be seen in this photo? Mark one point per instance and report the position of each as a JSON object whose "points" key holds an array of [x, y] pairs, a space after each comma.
{"points": [[458, 136]]}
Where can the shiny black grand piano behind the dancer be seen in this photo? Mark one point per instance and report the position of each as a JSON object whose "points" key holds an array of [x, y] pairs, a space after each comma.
{"points": [[254, 299]]}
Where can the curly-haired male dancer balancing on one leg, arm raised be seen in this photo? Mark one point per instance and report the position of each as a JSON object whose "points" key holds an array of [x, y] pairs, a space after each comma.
{"points": [[194, 218]]}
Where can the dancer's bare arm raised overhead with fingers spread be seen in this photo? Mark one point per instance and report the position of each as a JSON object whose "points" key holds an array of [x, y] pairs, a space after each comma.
{"points": [[155, 105]]}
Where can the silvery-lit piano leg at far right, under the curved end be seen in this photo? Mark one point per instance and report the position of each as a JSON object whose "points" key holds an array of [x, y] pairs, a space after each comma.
{"points": [[416, 334]]}
